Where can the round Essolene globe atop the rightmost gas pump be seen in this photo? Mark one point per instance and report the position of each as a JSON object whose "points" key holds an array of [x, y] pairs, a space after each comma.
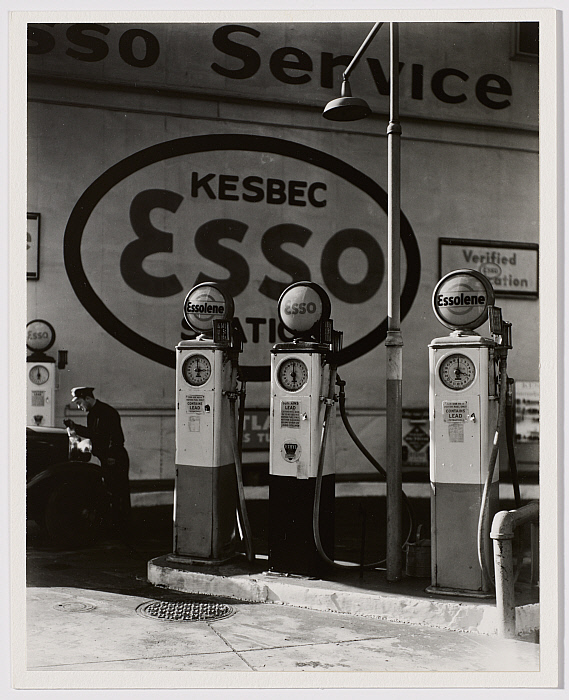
{"points": [[461, 299]]}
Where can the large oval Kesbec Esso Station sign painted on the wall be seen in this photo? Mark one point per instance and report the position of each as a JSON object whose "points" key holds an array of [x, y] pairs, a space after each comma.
{"points": [[248, 214]]}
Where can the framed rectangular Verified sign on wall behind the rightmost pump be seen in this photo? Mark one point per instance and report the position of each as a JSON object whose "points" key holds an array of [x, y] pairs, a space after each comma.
{"points": [[512, 268]]}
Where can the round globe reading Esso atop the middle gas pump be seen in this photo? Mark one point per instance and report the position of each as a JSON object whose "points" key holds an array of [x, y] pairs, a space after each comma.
{"points": [[302, 306]]}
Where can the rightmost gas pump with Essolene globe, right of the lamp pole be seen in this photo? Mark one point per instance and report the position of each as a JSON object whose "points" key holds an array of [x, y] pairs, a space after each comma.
{"points": [[468, 388]]}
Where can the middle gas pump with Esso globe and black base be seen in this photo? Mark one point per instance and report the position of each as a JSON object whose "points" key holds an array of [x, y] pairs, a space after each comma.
{"points": [[302, 417]]}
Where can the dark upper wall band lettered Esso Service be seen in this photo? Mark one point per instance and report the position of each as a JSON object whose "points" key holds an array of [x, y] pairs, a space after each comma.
{"points": [[441, 70]]}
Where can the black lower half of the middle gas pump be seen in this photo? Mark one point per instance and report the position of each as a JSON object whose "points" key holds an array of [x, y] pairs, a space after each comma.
{"points": [[292, 549]]}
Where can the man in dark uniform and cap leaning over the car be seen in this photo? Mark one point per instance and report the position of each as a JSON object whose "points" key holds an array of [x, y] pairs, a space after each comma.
{"points": [[105, 432]]}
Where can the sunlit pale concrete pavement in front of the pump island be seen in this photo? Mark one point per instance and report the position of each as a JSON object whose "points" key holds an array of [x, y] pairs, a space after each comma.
{"points": [[80, 629]]}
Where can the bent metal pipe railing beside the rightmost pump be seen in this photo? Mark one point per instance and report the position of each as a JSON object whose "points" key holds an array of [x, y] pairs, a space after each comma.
{"points": [[502, 532]]}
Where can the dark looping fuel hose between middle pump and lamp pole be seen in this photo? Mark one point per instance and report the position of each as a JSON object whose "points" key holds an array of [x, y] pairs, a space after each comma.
{"points": [[318, 489]]}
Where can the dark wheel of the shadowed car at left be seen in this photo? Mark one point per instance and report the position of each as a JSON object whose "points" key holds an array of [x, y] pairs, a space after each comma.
{"points": [[76, 513]]}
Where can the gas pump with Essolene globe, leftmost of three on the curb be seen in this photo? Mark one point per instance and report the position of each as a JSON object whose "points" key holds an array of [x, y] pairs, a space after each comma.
{"points": [[209, 503]]}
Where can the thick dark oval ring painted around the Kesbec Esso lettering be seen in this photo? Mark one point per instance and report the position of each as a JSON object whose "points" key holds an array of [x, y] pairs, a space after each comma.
{"points": [[221, 142]]}
